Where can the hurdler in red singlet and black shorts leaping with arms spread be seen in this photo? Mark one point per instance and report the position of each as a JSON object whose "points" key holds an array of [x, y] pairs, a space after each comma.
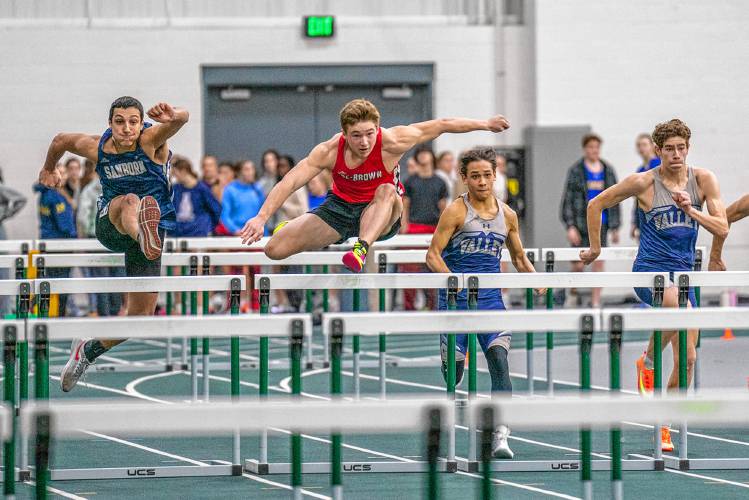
{"points": [[365, 200]]}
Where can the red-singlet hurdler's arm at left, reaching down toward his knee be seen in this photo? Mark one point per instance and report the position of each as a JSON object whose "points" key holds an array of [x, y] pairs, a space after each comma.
{"points": [[318, 160]]}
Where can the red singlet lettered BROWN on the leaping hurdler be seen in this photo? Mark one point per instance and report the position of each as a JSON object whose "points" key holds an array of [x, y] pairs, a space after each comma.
{"points": [[358, 185]]}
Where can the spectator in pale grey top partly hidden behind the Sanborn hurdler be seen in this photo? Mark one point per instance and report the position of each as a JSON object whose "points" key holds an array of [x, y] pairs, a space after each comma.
{"points": [[100, 304]]}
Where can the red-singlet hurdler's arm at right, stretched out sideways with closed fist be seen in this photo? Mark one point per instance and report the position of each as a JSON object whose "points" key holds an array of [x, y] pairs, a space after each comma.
{"points": [[398, 140]]}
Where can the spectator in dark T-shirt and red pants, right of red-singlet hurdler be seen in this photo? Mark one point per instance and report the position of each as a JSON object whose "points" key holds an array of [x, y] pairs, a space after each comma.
{"points": [[424, 200]]}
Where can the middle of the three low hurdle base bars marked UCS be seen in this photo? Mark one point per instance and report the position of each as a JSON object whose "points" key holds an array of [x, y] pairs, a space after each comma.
{"points": [[255, 467]]}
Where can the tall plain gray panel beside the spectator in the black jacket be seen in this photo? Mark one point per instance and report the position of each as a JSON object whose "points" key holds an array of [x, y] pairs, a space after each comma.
{"points": [[551, 151]]}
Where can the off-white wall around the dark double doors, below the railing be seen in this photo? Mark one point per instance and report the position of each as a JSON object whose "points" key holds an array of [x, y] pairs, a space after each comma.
{"points": [[64, 79]]}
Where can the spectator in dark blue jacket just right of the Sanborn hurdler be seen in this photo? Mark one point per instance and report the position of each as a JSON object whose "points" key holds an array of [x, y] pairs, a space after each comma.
{"points": [[198, 211]]}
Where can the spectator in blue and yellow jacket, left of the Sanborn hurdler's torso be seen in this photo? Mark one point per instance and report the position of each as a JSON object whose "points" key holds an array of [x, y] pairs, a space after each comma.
{"points": [[56, 220]]}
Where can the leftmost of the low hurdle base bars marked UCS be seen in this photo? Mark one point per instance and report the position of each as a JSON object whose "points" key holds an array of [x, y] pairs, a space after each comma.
{"points": [[143, 472]]}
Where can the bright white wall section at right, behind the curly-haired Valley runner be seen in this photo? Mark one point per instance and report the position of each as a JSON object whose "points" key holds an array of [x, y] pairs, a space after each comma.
{"points": [[625, 66]]}
